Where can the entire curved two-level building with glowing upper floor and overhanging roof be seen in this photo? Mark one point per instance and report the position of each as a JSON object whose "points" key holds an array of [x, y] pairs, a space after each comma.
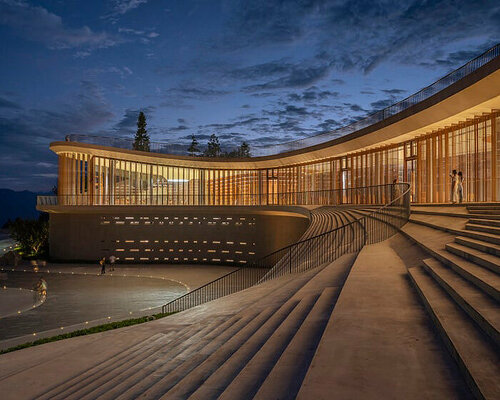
{"points": [[452, 124]]}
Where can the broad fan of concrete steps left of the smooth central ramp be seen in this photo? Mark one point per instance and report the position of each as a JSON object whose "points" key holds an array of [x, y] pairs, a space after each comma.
{"points": [[256, 343]]}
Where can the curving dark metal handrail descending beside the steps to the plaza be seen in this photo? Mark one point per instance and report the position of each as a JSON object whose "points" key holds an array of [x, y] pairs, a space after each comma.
{"points": [[281, 265]]}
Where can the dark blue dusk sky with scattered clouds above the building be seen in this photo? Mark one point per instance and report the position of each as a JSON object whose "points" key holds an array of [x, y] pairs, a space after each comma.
{"points": [[263, 71]]}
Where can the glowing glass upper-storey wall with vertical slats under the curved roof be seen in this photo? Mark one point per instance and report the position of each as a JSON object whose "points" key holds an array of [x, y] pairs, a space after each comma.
{"points": [[426, 162]]}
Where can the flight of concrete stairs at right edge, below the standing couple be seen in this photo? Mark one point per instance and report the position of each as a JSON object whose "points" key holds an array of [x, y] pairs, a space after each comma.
{"points": [[460, 286]]}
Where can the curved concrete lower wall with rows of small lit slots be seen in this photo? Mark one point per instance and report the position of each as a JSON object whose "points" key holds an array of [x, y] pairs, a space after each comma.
{"points": [[217, 235]]}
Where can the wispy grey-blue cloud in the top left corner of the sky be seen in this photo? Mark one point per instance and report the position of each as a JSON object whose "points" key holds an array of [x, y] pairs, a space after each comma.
{"points": [[38, 24]]}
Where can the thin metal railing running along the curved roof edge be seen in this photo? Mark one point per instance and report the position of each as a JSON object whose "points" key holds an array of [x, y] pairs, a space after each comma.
{"points": [[378, 116]]}
